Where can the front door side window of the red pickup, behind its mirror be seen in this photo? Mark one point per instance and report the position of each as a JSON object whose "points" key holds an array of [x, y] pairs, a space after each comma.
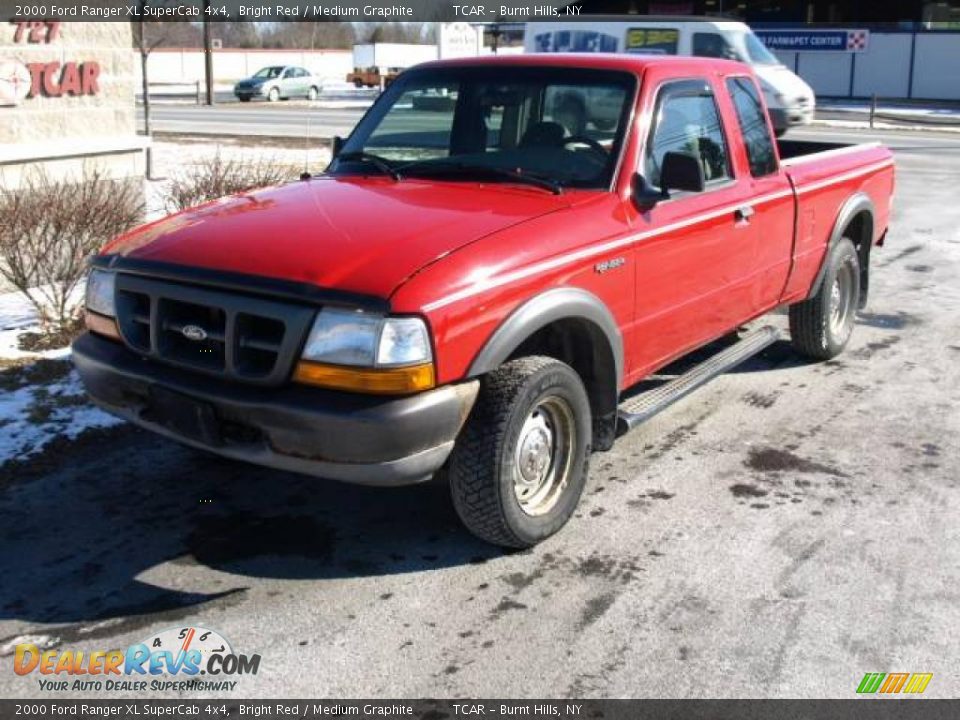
{"points": [[687, 121]]}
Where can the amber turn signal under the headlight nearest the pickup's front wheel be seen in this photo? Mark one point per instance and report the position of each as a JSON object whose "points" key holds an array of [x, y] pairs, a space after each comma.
{"points": [[379, 381]]}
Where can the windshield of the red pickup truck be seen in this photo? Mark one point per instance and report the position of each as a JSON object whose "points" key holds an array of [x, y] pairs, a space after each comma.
{"points": [[559, 124]]}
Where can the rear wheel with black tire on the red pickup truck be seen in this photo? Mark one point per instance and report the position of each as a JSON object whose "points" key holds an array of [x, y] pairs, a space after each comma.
{"points": [[820, 327]]}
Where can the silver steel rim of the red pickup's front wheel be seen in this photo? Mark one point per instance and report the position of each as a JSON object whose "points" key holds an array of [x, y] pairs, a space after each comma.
{"points": [[544, 455]]}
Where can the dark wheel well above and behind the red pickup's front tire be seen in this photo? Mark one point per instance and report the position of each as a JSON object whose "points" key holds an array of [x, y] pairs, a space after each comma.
{"points": [[583, 346]]}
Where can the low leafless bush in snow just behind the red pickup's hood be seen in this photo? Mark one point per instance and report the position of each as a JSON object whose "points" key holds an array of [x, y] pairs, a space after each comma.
{"points": [[215, 177]]}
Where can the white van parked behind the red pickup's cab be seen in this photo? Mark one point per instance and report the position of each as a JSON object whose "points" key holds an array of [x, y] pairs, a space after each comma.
{"points": [[790, 100]]}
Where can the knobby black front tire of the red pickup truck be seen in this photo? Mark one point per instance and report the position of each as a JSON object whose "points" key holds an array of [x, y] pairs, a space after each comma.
{"points": [[483, 469]]}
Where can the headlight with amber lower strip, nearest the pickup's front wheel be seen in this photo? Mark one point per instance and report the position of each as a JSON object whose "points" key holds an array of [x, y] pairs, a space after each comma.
{"points": [[367, 353]]}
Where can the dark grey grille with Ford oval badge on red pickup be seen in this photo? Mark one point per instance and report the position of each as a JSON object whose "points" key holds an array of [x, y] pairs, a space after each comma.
{"points": [[219, 333]]}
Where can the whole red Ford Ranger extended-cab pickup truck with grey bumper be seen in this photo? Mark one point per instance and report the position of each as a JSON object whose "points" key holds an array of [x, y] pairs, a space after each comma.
{"points": [[472, 286]]}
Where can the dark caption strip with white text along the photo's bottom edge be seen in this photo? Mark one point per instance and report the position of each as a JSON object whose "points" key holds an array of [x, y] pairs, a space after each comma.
{"points": [[467, 709]]}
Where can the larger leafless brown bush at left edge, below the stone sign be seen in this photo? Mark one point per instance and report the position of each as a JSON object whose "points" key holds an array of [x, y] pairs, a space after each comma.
{"points": [[48, 228]]}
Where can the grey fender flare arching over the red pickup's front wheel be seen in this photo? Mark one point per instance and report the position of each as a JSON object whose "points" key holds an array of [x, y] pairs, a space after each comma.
{"points": [[538, 312]]}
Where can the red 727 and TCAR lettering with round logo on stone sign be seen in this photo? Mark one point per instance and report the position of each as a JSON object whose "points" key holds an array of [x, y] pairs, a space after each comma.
{"points": [[21, 81]]}
